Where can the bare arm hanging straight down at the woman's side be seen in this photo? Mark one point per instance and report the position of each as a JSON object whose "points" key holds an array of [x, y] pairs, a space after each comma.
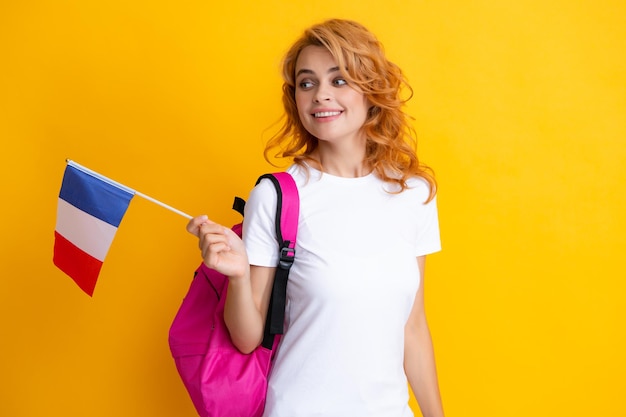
{"points": [[419, 357]]}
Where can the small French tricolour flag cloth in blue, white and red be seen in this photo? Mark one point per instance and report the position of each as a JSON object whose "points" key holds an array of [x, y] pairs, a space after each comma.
{"points": [[89, 211]]}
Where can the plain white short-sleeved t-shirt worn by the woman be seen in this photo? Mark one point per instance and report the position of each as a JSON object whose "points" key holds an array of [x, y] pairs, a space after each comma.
{"points": [[349, 294]]}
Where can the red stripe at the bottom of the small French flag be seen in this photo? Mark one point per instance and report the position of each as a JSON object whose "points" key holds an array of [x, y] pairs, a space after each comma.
{"points": [[79, 265]]}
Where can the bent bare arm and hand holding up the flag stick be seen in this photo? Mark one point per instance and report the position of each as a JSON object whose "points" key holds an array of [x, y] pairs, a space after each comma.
{"points": [[249, 287]]}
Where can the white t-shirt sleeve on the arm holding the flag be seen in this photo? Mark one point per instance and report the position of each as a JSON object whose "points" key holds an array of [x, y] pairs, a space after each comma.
{"points": [[259, 233]]}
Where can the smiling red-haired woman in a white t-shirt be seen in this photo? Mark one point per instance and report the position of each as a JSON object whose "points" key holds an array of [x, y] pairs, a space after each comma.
{"points": [[355, 328]]}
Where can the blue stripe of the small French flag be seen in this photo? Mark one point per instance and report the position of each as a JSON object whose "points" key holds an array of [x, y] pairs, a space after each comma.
{"points": [[94, 196]]}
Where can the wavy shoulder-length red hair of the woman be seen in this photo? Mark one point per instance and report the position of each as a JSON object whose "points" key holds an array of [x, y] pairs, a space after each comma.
{"points": [[391, 147]]}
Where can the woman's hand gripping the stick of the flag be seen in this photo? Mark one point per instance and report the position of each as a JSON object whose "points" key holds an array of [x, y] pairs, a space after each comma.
{"points": [[221, 248]]}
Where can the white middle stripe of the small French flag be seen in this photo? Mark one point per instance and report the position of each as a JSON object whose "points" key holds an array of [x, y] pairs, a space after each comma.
{"points": [[88, 233]]}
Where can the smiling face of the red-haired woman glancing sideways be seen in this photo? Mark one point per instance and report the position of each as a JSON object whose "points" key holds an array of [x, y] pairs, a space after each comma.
{"points": [[329, 108]]}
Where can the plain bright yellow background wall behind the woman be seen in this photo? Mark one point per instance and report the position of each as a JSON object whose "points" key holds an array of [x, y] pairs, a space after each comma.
{"points": [[520, 107]]}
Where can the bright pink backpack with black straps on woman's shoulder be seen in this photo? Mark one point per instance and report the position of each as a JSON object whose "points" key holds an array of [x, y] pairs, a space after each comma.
{"points": [[222, 381]]}
